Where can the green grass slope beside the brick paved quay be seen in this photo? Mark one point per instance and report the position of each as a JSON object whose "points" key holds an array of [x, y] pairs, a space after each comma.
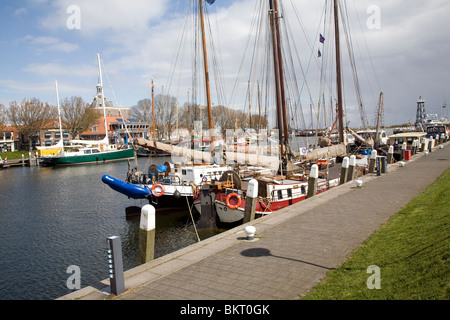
{"points": [[411, 250]]}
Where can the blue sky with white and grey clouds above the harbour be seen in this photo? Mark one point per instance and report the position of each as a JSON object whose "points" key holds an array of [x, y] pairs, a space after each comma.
{"points": [[401, 48]]}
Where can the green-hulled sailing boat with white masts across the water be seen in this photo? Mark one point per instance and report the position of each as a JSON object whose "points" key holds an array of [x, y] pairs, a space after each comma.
{"points": [[92, 152]]}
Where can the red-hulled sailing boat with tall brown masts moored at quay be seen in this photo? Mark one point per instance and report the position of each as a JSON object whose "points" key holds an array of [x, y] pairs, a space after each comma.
{"points": [[274, 191]]}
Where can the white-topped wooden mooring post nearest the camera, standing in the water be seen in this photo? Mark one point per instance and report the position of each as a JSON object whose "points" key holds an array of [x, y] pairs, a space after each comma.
{"points": [[146, 245]]}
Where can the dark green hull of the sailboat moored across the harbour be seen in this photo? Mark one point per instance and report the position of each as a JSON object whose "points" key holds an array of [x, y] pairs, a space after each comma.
{"points": [[97, 158]]}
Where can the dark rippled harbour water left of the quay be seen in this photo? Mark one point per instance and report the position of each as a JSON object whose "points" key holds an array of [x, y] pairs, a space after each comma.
{"points": [[53, 218]]}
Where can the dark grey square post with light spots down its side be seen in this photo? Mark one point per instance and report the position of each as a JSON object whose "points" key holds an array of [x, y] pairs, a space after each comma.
{"points": [[115, 265]]}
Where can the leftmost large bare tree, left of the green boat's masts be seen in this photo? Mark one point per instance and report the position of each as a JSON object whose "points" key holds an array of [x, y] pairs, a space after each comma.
{"points": [[30, 116]]}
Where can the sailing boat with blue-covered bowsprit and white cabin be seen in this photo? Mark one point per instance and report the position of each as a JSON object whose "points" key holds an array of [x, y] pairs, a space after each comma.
{"points": [[169, 183]]}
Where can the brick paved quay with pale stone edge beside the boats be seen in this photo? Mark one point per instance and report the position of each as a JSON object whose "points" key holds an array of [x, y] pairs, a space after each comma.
{"points": [[293, 249]]}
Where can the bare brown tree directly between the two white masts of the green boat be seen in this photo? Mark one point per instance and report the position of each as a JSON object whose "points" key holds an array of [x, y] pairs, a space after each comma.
{"points": [[77, 115]]}
